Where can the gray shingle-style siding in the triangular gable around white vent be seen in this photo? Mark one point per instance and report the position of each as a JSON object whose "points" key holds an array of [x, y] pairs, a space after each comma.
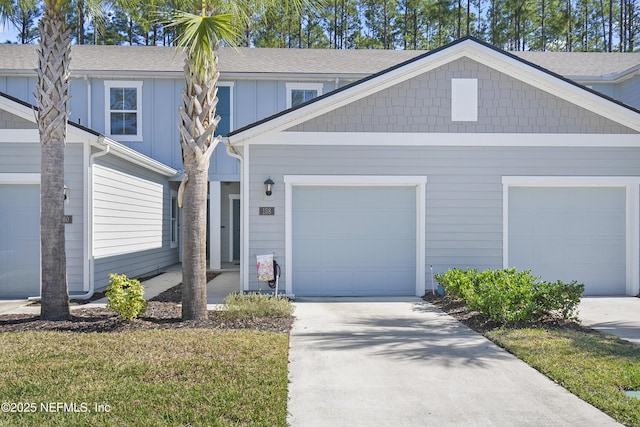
{"points": [[423, 104]]}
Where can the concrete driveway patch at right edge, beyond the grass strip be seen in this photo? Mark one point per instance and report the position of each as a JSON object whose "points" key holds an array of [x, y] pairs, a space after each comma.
{"points": [[612, 315]]}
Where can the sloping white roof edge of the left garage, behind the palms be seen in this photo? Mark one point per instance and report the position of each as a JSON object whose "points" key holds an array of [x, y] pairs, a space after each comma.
{"points": [[27, 111]]}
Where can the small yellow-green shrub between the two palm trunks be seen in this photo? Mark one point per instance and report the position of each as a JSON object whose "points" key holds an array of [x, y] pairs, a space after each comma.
{"points": [[125, 296]]}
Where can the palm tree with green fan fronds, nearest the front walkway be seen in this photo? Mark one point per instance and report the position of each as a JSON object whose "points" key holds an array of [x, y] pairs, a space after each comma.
{"points": [[200, 35]]}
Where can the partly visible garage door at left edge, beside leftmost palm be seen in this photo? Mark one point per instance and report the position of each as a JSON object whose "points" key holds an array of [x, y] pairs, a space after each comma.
{"points": [[19, 241]]}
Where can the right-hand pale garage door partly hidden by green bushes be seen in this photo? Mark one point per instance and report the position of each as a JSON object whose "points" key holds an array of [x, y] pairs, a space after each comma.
{"points": [[570, 234]]}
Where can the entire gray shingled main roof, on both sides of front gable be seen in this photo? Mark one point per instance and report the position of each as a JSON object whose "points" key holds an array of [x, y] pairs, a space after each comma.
{"points": [[164, 61]]}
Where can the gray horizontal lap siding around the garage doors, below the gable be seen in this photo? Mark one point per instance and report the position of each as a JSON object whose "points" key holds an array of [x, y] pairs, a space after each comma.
{"points": [[464, 192]]}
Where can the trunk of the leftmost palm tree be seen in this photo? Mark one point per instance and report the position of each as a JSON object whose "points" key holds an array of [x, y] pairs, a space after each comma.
{"points": [[53, 95]]}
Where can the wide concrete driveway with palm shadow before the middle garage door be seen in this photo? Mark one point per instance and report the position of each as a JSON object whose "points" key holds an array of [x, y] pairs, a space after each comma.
{"points": [[401, 362]]}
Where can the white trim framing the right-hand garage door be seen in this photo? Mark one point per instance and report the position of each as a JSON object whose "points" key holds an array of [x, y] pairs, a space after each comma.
{"points": [[630, 183]]}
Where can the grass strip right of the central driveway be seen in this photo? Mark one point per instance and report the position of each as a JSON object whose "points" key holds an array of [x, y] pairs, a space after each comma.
{"points": [[597, 368]]}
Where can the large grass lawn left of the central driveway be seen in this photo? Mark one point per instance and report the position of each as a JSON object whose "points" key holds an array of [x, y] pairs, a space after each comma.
{"points": [[155, 378]]}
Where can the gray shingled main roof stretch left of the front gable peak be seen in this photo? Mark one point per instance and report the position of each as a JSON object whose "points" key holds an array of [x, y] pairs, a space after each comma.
{"points": [[159, 61]]}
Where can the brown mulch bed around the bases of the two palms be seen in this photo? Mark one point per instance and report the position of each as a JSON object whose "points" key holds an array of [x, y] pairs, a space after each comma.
{"points": [[163, 312]]}
